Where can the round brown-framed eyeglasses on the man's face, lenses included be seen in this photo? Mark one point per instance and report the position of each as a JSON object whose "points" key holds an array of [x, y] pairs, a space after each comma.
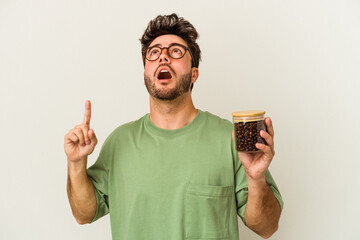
{"points": [[175, 51]]}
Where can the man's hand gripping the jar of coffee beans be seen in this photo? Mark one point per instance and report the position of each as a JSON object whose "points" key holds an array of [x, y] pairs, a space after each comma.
{"points": [[256, 164]]}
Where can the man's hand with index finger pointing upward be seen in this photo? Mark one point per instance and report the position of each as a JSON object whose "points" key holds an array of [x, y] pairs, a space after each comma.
{"points": [[80, 141]]}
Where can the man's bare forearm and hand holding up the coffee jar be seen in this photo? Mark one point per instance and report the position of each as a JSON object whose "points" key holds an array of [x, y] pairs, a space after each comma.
{"points": [[263, 210]]}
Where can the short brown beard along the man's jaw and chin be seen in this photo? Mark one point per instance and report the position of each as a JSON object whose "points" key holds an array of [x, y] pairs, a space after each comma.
{"points": [[166, 94]]}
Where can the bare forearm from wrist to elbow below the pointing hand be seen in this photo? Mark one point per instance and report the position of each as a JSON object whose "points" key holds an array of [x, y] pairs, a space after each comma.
{"points": [[81, 193]]}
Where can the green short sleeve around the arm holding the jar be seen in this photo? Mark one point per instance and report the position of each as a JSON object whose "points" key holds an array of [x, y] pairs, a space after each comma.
{"points": [[241, 188]]}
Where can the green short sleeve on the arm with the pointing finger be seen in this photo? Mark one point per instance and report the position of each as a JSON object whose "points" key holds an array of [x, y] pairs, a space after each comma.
{"points": [[98, 174]]}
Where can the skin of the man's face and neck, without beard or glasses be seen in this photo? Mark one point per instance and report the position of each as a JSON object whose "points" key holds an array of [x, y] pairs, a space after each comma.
{"points": [[176, 113]]}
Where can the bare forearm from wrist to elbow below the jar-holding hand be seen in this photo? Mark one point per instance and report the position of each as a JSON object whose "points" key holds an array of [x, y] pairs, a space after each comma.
{"points": [[262, 211]]}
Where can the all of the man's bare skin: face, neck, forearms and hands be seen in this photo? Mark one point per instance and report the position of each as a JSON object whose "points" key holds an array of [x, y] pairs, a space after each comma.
{"points": [[263, 210]]}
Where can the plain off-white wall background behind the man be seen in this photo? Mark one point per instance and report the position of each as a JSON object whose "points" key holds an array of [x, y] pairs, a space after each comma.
{"points": [[298, 60]]}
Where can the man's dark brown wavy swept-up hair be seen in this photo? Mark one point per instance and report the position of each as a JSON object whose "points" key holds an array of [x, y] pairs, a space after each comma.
{"points": [[172, 24]]}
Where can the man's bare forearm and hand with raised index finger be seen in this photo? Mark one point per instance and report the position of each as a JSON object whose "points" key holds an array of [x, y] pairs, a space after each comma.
{"points": [[78, 144]]}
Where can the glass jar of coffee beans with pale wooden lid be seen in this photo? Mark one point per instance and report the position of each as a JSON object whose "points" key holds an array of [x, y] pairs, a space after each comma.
{"points": [[247, 126]]}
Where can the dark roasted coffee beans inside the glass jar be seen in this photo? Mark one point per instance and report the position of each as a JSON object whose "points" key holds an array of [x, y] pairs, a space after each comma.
{"points": [[247, 134]]}
